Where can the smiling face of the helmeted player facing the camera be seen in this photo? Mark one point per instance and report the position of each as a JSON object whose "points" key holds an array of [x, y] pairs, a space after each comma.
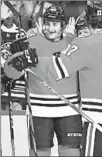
{"points": [[52, 30]]}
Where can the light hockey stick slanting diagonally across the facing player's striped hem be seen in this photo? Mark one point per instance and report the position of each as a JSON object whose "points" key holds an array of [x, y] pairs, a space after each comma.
{"points": [[66, 101]]}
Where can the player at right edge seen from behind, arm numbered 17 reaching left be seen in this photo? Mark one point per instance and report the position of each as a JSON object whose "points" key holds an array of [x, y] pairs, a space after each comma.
{"points": [[87, 58]]}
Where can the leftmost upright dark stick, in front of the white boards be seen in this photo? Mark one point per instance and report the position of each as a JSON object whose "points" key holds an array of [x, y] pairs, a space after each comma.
{"points": [[11, 118]]}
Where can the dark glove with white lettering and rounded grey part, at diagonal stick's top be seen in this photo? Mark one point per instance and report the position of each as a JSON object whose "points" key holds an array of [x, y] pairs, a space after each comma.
{"points": [[16, 64]]}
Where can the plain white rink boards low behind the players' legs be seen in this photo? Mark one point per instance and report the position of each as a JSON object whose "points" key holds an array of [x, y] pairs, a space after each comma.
{"points": [[21, 140]]}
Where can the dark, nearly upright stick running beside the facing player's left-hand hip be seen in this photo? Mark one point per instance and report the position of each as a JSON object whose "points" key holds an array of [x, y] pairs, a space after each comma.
{"points": [[30, 115]]}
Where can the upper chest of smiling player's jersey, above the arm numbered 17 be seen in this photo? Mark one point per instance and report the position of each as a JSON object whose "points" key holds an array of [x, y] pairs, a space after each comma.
{"points": [[45, 47]]}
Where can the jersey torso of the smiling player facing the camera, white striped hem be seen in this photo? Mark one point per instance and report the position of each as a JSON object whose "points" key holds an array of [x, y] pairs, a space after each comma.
{"points": [[44, 103]]}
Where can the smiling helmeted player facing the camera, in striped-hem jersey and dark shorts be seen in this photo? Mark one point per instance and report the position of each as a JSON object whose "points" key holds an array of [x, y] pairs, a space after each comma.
{"points": [[50, 113]]}
